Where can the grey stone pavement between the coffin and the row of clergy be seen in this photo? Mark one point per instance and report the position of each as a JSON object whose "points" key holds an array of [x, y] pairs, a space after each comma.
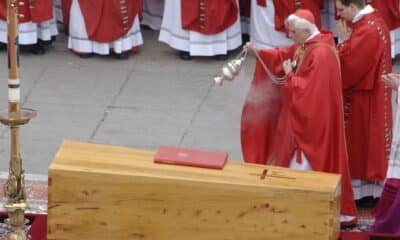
{"points": [[152, 98]]}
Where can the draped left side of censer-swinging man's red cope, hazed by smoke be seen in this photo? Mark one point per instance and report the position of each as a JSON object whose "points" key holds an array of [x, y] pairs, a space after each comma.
{"points": [[261, 108]]}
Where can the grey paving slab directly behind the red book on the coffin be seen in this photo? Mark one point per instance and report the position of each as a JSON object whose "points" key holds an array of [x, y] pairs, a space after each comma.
{"points": [[142, 128]]}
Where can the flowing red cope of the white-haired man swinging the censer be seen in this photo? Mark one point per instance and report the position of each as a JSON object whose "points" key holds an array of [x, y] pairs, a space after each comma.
{"points": [[306, 112]]}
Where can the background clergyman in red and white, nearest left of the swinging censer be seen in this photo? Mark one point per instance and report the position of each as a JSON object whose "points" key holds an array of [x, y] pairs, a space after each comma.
{"points": [[201, 27]]}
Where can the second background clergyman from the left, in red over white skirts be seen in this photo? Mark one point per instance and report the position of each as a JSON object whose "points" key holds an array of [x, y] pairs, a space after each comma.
{"points": [[103, 26]]}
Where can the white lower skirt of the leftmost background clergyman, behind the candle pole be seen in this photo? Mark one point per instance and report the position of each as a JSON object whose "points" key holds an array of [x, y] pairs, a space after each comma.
{"points": [[30, 32]]}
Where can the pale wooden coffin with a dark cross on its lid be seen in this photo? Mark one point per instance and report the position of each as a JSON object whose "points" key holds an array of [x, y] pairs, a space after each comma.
{"points": [[108, 192]]}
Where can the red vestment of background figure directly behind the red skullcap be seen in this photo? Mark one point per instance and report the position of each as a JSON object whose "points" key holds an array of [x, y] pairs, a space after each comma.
{"points": [[283, 8]]}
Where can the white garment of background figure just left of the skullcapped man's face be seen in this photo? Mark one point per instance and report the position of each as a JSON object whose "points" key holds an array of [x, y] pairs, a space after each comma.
{"points": [[262, 27]]}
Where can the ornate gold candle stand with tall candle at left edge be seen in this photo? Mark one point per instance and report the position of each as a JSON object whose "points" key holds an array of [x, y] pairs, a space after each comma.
{"points": [[14, 188]]}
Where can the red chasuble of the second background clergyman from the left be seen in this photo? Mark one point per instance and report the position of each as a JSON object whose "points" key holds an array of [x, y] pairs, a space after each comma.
{"points": [[105, 20]]}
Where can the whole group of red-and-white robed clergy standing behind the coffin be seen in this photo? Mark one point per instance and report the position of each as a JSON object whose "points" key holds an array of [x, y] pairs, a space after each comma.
{"points": [[324, 67]]}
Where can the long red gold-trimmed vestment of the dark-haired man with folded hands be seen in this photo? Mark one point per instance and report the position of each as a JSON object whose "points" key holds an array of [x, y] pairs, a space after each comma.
{"points": [[368, 110]]}
